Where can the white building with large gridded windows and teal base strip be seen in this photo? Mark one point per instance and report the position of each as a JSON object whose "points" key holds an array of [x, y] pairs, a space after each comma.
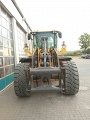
{"points": [[13, 36]]}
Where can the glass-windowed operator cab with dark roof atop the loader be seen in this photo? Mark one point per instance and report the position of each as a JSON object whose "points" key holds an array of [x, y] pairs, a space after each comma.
{"points": [[51, 41]]}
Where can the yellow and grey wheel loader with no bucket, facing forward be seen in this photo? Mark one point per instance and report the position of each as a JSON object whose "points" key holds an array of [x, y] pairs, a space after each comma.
{"points": [[45, 68]]}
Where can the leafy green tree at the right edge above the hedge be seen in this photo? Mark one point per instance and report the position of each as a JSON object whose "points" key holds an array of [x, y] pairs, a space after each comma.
{"points": [[84, 41]]}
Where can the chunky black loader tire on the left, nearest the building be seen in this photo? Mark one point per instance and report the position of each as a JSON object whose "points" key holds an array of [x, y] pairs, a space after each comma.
{"points": [[21, 87]]}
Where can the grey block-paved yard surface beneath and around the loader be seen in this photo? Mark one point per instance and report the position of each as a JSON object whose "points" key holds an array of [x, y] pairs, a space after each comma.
{"points": [[49, 105]]}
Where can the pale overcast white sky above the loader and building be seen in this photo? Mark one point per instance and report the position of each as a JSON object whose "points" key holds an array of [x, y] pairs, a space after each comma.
{"points": [[71, 17]]}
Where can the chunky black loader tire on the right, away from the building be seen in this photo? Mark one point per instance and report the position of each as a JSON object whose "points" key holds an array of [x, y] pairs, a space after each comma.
{"points": [[71, 78]]}
